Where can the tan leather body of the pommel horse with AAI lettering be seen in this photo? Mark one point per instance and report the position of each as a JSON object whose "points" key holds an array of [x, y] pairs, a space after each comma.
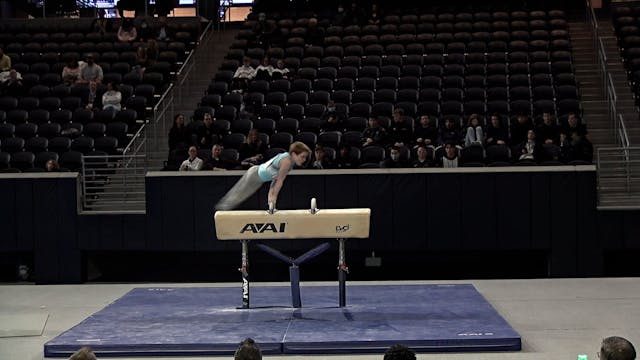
{"points": [[292, 224]]}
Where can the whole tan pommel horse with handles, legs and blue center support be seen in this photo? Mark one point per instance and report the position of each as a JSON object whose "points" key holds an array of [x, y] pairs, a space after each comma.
{"points": [[247, 225]]}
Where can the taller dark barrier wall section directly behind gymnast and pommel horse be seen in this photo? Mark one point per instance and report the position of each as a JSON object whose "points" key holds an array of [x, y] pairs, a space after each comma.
{"points": [[552, 210]]}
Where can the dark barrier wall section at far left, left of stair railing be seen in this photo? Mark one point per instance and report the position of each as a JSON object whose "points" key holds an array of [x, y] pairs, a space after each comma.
{"points": [[39, 216]]}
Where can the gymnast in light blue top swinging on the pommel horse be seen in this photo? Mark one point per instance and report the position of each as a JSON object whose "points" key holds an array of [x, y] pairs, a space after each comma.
{"points": [[275, 170]]}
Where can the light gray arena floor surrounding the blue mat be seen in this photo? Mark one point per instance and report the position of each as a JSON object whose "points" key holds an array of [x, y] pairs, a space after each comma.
{"points": [[557, 318]]}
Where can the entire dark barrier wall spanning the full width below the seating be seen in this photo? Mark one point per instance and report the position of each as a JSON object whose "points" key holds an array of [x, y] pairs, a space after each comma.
{"points": [[546, 210]]}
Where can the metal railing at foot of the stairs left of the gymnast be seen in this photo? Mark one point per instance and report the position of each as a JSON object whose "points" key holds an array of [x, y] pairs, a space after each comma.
{"points": [[113, 183]]}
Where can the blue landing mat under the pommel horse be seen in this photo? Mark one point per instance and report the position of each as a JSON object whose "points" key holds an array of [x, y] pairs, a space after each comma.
{"points": [[205, 321]]}
